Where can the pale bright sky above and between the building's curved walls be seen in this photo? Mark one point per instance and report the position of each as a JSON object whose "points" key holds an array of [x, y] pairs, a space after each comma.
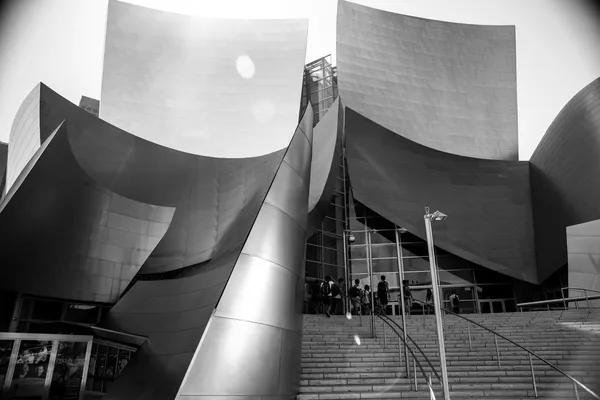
{"points": [[61, 43]]}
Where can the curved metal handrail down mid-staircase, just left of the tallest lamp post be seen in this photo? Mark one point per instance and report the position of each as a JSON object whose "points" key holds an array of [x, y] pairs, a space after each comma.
{"points": [[381, 314]]}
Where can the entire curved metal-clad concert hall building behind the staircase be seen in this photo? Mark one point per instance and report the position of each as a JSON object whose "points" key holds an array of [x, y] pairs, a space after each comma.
{"points": [[135, 265]]}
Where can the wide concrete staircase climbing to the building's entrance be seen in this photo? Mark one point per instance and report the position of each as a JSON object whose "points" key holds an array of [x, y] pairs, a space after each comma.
{"points": [[340, 360]]}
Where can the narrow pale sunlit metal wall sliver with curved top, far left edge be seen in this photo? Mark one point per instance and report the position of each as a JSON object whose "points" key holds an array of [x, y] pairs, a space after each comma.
{"points": [[24, 139]]}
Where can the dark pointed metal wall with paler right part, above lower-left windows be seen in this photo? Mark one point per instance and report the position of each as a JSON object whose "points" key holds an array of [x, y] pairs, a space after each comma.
{"points": [[79, 240]]}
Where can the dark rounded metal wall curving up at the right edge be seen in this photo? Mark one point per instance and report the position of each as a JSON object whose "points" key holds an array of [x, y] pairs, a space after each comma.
{"points": [[565, 184]]}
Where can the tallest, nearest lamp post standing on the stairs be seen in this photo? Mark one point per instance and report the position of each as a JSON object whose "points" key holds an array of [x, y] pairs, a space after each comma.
{"points": [[437, 216]]}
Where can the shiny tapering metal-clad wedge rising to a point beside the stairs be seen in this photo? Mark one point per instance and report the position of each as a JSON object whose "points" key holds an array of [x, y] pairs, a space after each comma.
{"points": [[254, 337]]}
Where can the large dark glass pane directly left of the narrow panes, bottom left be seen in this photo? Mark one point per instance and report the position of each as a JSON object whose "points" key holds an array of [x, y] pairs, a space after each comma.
{"points": [[68, 370]]}
